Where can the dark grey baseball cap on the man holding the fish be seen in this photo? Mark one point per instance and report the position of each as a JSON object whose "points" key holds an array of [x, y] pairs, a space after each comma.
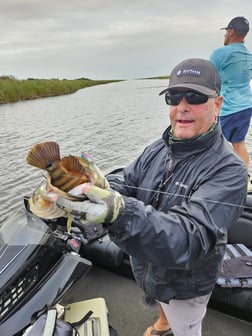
{"points": [[197, 74]]}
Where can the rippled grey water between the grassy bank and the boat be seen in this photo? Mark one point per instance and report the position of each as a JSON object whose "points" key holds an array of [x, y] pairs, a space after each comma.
{"points": [[111, 122]]}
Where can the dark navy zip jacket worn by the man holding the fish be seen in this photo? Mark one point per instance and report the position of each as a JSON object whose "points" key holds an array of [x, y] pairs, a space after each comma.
{"points": [[180, 199]]}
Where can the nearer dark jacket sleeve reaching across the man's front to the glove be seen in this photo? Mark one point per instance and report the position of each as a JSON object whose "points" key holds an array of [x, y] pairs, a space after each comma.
{"points": [[184, 234]]}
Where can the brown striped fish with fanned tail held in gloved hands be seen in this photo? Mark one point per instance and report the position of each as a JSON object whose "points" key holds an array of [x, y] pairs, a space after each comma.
{"points": [[64, 174]]}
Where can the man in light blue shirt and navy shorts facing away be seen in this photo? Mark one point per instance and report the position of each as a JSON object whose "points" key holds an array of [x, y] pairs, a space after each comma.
{"points": [[234, 65]]}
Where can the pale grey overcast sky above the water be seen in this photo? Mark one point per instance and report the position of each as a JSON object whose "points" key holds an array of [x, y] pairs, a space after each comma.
{"points": [[110, 39]]}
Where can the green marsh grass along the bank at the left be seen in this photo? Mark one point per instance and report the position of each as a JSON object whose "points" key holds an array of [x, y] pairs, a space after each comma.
{"points": [[13, 90]]}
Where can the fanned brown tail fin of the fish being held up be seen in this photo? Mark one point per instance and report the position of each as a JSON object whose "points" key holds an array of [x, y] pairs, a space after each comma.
{"points": [[42, 154]]}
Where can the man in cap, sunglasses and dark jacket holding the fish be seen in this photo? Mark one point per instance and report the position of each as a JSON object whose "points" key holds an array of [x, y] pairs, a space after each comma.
{"points": [[173, 206]]}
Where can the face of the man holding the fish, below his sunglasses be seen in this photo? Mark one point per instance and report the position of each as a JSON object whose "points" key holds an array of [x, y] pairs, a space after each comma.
{"points": [[189, 121]]}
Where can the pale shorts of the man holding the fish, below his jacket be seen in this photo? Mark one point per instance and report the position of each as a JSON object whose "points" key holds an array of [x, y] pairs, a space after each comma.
{"points": [[185, 316]]}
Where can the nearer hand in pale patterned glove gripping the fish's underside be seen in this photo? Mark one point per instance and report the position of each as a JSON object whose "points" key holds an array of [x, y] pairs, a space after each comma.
{"points": [[103, 206]]}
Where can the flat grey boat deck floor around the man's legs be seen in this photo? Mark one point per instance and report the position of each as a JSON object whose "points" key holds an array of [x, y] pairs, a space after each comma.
{"points": [[129, 313]]}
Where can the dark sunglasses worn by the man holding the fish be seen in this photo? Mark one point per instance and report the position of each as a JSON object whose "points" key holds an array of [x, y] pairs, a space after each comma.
{"points": [[192, 98]]}
